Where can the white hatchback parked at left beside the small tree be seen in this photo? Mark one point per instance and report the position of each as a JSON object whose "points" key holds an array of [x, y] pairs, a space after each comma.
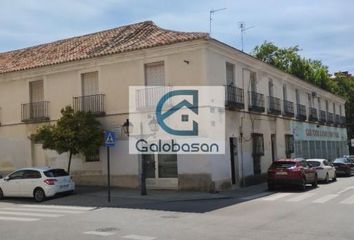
{"points": [[38, 183]]}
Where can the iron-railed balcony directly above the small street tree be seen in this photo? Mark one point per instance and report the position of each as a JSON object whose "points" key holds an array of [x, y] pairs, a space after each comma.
{"points": [[90, 103]]}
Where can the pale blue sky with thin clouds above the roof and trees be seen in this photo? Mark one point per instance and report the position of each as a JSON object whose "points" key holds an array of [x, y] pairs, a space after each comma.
{"points": [[323, 29]]}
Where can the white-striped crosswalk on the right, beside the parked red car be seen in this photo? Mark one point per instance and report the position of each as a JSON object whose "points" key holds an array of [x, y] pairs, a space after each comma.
{"points": [[310, 197]]}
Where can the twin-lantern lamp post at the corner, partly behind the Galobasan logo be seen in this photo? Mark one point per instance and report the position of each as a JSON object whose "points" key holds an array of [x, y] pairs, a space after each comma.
{"points": [[127, 128]]}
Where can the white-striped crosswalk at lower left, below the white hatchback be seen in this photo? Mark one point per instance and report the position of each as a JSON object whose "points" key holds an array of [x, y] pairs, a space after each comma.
{"points": [[31, 213]]}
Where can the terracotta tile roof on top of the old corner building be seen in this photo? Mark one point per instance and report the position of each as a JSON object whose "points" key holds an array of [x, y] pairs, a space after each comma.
{"points": [[122, 39]]}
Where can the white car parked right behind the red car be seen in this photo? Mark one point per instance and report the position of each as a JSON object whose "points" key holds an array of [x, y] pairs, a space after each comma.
{"points": [[325, 170]]}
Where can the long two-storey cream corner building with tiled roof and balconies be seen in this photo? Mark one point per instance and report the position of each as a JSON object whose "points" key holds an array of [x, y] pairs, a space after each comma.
{"points": [[270, 114]]}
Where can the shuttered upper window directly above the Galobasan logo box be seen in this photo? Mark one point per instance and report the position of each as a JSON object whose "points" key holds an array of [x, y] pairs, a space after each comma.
{"points": [[155, 74]]}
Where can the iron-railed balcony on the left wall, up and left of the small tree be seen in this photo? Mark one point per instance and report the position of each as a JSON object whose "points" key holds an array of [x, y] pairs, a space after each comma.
{"points": [[35, 112]]}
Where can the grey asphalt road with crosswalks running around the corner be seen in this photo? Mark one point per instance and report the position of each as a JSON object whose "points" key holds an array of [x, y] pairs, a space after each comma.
{"points": [[322, 213]]}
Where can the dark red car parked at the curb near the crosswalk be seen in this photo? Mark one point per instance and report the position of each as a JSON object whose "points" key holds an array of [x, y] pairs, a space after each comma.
{"points": [[291, 172]]}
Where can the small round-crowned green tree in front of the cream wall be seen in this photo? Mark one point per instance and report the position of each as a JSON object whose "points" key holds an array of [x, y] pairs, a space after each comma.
{"points": [[75, 132]]}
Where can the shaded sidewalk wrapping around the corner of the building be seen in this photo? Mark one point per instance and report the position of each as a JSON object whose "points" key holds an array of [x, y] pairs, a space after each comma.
{"points": [[180, 201]]}
